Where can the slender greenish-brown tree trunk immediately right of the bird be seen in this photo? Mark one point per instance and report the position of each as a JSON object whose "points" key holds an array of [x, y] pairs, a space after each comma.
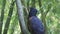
{"points": [[43, 15]]}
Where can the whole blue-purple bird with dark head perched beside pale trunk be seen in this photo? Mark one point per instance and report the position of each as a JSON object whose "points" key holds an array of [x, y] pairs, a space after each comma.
{"points": [[35, 25]]}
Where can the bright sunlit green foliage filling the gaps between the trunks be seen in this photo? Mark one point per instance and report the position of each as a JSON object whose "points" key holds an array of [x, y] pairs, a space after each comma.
{"points": [[52, 16]]}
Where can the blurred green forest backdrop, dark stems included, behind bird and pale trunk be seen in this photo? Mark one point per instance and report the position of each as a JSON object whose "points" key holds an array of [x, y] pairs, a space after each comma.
{"points": [[48, 12]]}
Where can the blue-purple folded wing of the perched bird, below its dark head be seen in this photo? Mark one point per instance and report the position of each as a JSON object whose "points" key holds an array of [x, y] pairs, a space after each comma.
{"points": [[36, 24]]}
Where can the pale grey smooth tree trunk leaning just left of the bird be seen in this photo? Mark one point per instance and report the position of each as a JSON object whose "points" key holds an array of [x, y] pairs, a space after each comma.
{"points": [[21, 17]]}
